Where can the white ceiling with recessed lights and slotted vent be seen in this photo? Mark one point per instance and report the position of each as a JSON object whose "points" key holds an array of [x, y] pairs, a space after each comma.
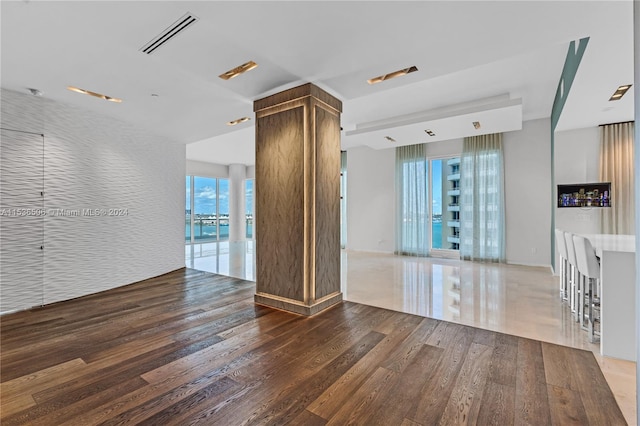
{"points": [[494, 62]]}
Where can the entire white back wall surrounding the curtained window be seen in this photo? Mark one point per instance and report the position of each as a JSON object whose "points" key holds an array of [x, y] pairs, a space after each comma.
{"points": [[371, 194]]}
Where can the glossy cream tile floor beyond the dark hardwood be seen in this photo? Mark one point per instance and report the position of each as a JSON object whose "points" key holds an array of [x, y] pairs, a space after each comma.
{"points": [[518, 300]]}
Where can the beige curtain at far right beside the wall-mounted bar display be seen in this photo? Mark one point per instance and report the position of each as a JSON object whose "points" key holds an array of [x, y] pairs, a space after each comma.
{"points": [[616, 166]]}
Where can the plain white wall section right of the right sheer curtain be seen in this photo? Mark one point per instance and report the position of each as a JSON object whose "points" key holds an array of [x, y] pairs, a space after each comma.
{"points": [[527, 157]]}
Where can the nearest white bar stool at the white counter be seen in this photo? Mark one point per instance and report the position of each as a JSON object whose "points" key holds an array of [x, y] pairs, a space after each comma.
{"points": [[589, 267]]}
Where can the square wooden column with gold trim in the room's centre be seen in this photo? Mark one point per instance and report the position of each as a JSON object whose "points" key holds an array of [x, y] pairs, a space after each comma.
{"points": [[297, 200]]}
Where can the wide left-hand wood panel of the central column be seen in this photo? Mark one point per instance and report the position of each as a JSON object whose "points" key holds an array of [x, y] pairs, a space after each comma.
{"points": [[280, 203]]}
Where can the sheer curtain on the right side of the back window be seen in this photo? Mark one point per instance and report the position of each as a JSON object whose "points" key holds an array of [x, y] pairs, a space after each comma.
{"points": [[482, 218]]}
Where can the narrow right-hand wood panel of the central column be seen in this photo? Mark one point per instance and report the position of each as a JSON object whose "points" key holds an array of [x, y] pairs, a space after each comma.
{"points": [[327, 202]]}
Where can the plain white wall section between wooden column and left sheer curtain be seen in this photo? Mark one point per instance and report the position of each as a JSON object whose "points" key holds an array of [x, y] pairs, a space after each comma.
{"points": [[371, 199]]}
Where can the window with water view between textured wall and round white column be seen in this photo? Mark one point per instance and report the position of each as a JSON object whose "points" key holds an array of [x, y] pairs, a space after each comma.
{"points": [[207, 209]]}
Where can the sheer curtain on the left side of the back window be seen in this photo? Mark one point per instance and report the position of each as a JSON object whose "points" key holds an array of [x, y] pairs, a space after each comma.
{"points": [[412, 231]]}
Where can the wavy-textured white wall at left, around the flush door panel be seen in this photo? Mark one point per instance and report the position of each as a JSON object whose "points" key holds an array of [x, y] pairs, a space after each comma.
{"points": [[133, 180]]}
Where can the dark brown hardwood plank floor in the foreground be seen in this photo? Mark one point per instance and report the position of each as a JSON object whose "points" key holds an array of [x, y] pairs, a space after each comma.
{"points": [[191, 347]]}
